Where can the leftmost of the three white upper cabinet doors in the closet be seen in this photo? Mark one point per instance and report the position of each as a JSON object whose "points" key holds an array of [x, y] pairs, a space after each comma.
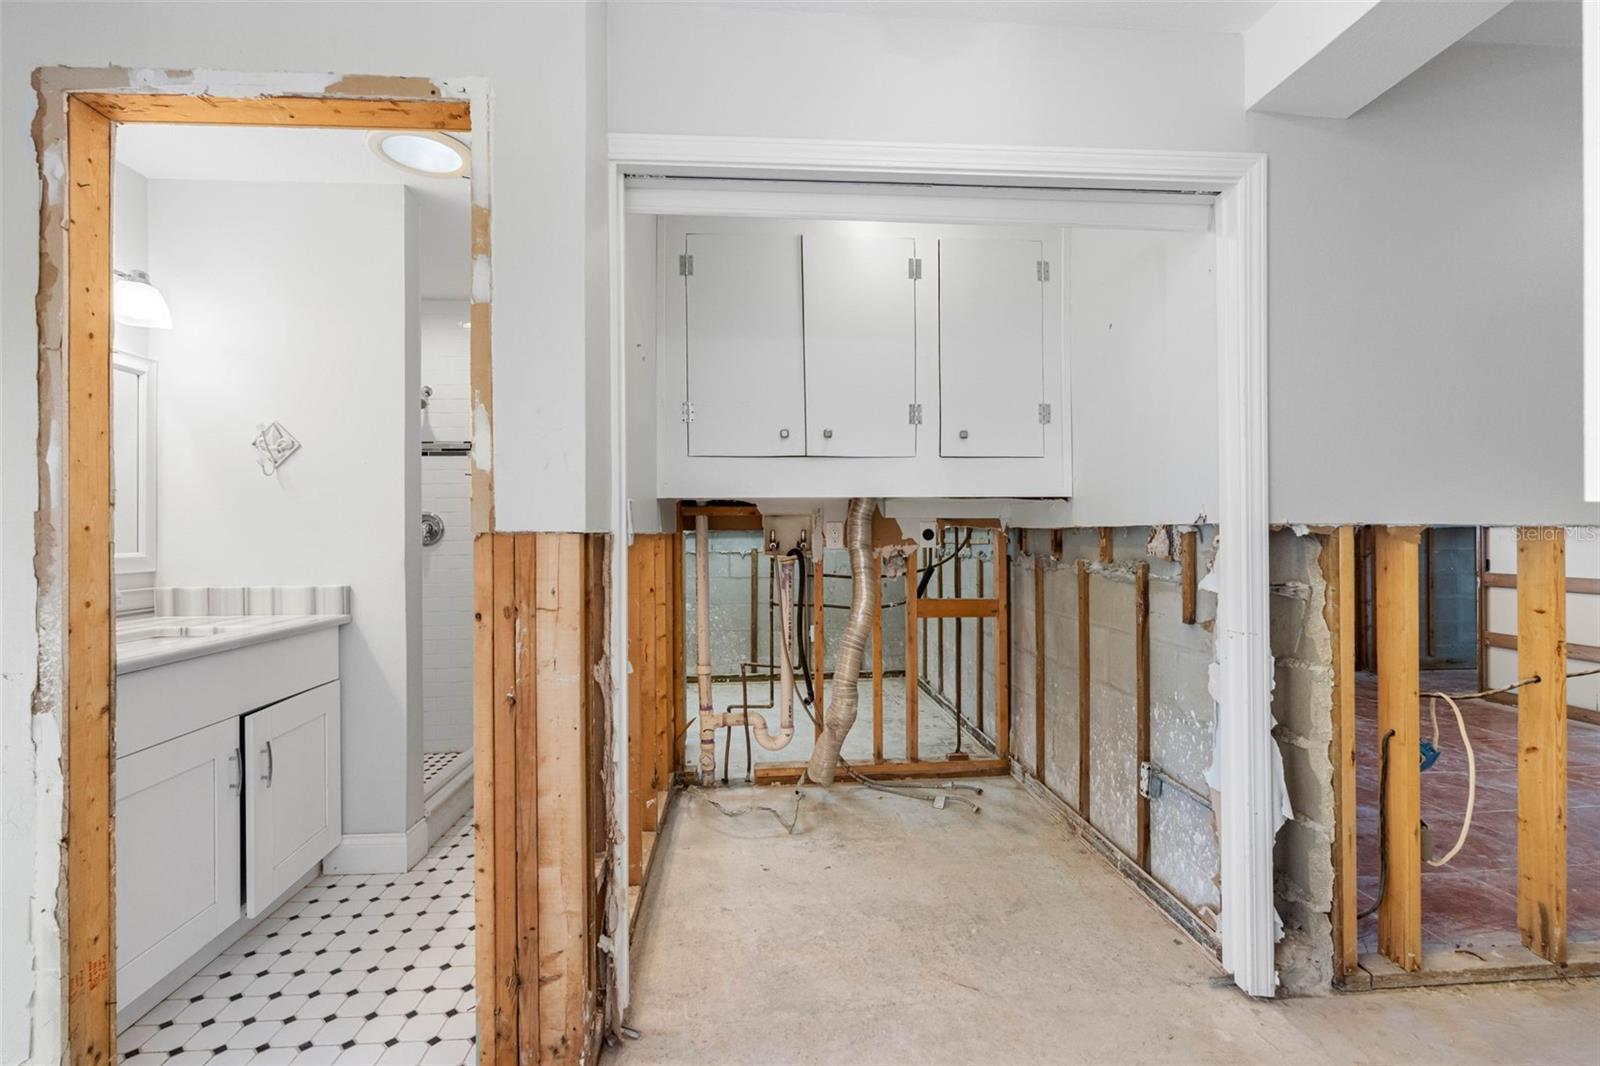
{"points": [[745, 345]]}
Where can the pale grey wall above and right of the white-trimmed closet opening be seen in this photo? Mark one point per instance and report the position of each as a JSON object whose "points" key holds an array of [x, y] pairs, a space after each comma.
{"points": [[1425, 292]]}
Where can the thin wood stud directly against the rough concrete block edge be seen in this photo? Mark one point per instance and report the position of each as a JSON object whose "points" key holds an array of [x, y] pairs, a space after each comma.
{"points": [[1338, 569]]}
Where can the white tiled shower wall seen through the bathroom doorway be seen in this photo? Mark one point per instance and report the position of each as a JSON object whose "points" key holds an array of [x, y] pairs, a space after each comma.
{"points": [[447, 567]]}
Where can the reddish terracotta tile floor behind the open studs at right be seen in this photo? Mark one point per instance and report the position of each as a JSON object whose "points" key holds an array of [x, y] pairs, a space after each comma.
{"points": [[1473, 904]]}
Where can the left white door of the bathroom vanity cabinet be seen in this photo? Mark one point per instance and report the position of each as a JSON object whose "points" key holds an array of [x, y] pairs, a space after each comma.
{"points": [[178, 852]]}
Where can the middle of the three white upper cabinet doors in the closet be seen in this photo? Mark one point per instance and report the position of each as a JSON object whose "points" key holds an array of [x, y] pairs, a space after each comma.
{"points": [[860, 345]]}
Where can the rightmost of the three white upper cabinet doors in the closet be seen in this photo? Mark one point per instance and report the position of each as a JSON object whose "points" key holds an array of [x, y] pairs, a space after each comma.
{"points": [[991, 348]]}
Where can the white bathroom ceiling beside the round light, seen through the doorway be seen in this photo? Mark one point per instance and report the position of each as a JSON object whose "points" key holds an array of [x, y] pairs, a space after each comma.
{"points": [[164, 153]]}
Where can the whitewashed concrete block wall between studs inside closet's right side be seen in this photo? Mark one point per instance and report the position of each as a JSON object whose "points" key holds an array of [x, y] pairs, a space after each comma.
{"points": [[1183, 840]]}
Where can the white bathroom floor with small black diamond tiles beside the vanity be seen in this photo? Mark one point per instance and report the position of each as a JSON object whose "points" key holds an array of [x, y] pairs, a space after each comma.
{"points": [[354, 969]]}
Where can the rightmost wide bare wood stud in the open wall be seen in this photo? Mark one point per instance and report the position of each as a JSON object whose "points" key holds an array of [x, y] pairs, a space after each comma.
{"points": [[1542, 742]]}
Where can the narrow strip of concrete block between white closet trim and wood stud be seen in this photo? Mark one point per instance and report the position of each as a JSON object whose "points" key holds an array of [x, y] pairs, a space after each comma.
{"points": [[1303, 726]]}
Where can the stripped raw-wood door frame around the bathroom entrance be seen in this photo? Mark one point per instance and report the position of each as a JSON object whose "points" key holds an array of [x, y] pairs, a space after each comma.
{"points": [[74, 134]]}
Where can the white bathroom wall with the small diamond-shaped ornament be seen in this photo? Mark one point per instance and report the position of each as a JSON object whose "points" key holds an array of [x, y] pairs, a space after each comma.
{"points": [[294, 303]]}
